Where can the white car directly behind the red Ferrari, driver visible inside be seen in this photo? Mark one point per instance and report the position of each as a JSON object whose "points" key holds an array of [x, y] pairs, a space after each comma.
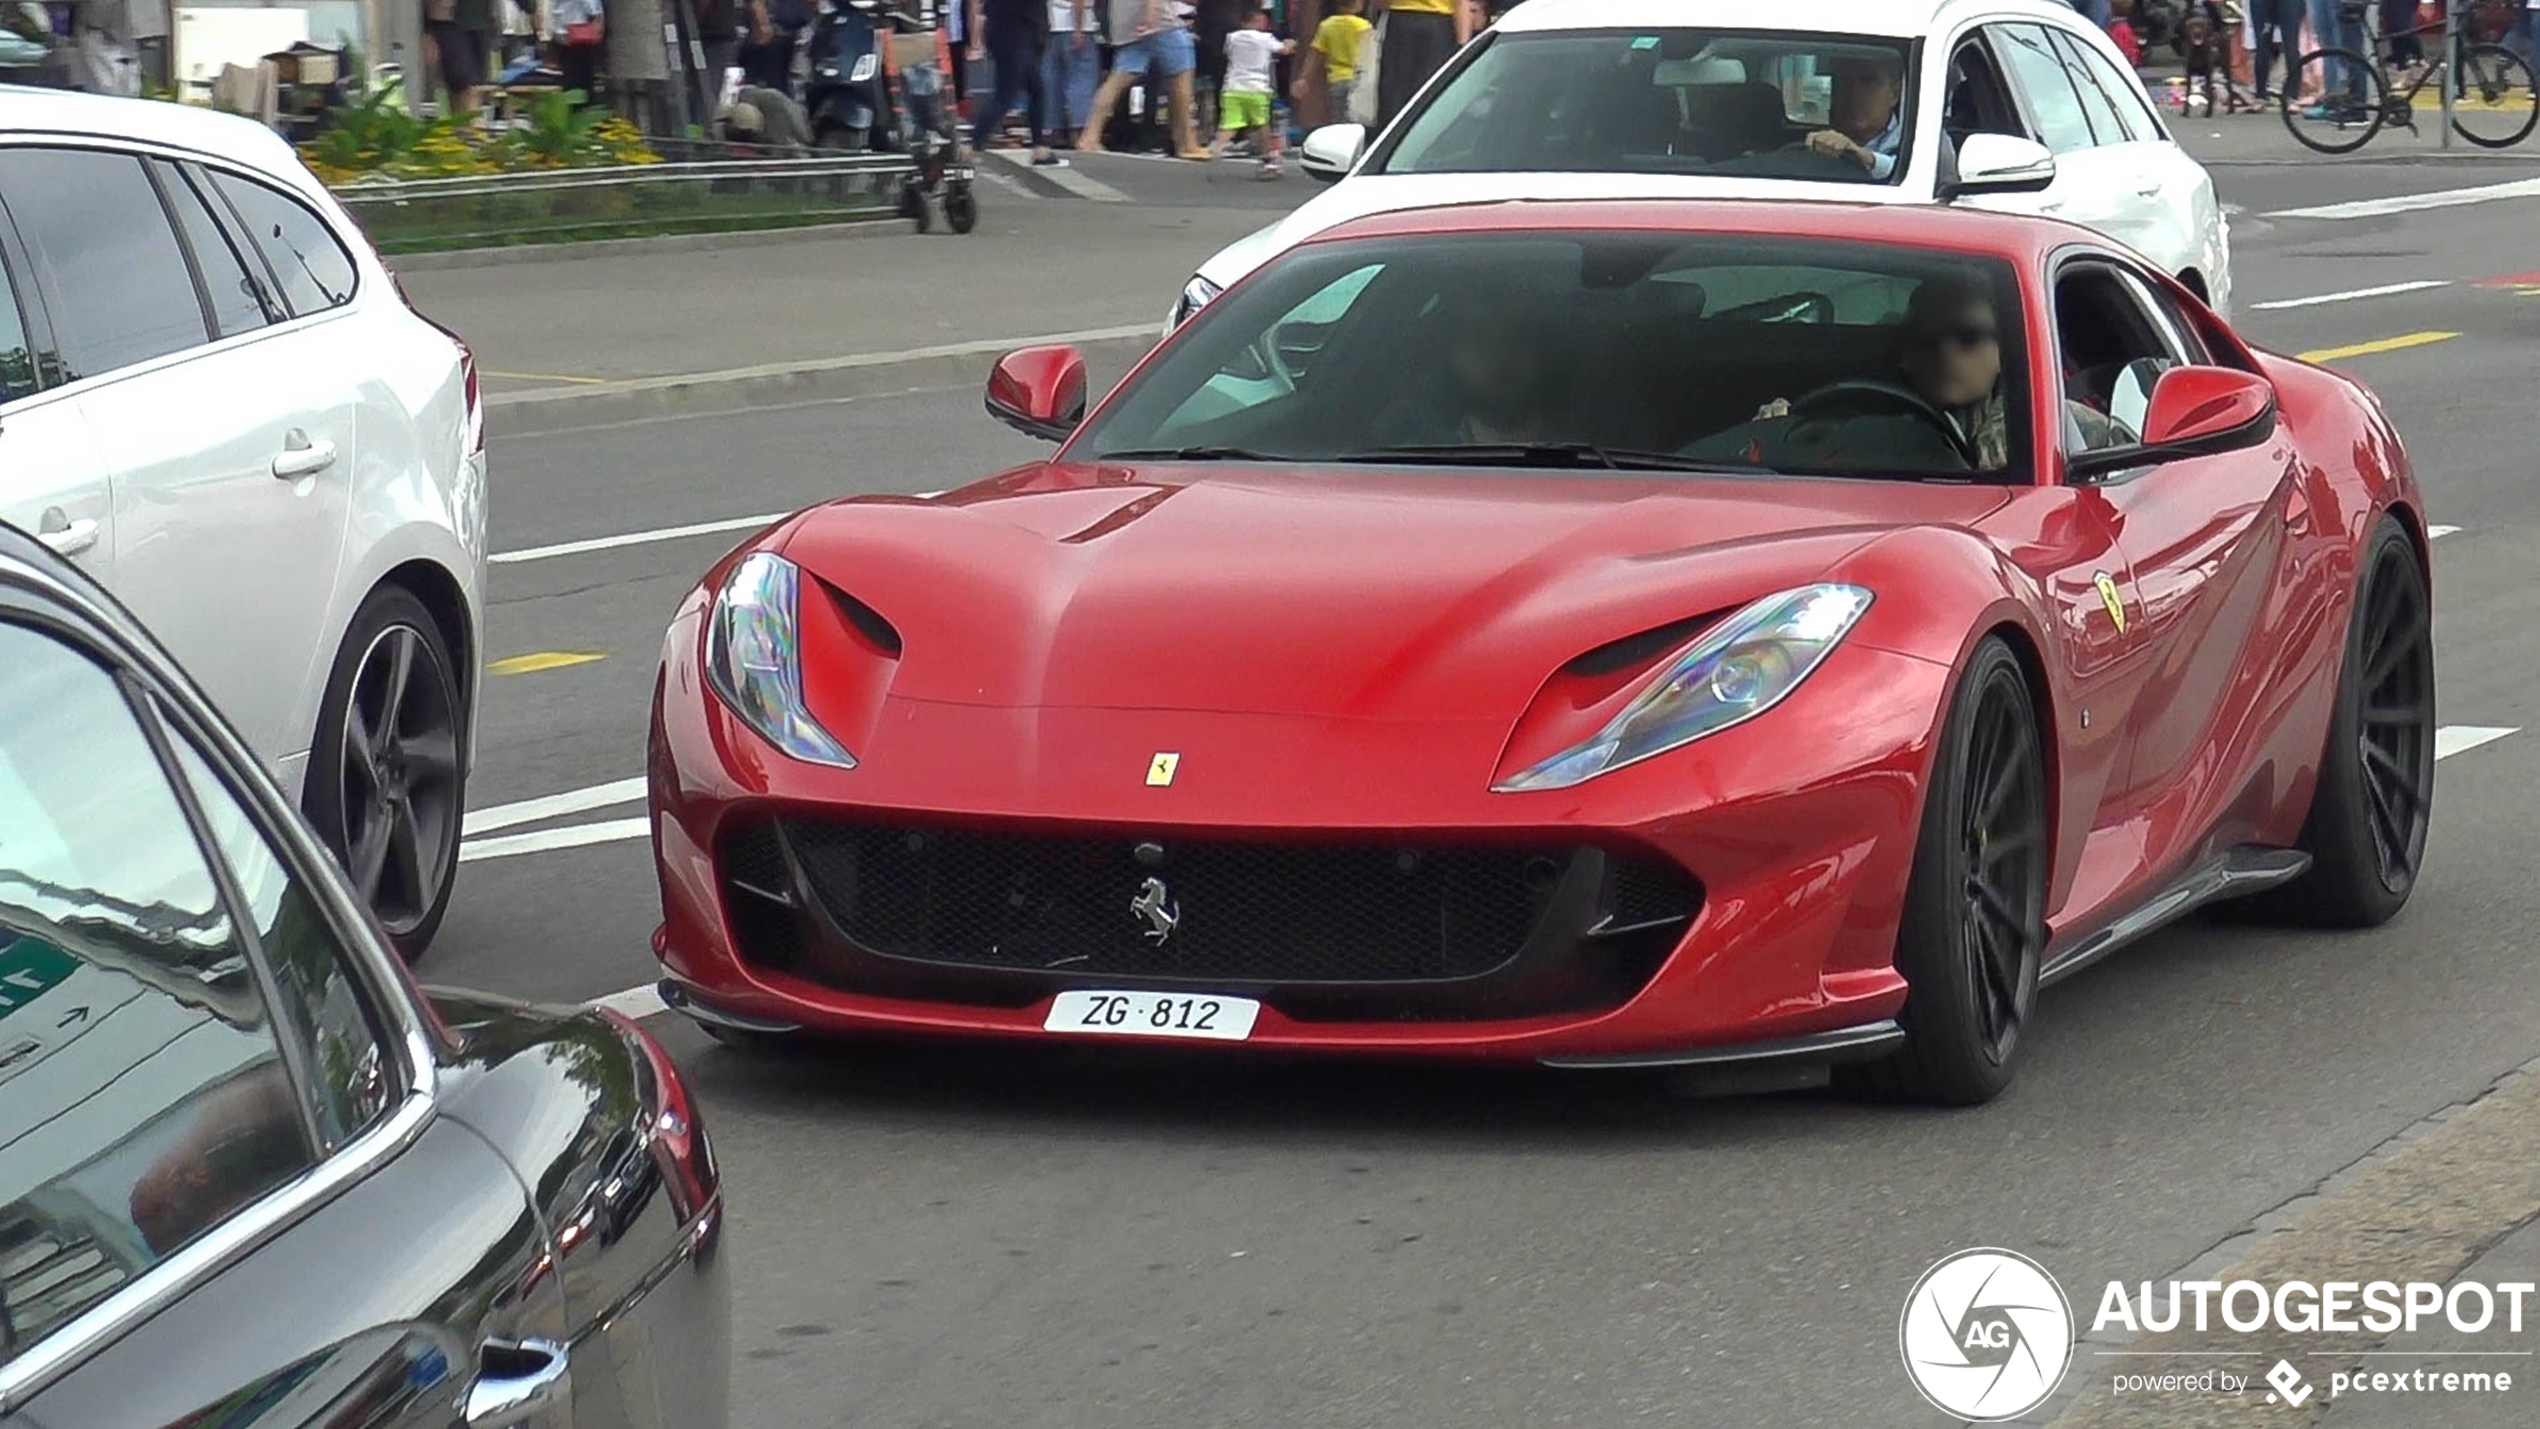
{"points": [[2013, 105]]}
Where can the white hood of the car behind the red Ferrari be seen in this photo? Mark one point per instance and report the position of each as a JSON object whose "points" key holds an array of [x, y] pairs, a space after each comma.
{"points": [[1370, 194]]}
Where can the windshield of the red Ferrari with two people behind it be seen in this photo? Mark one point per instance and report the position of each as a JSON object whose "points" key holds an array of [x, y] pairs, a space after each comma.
{"points": [[1596, 349]]}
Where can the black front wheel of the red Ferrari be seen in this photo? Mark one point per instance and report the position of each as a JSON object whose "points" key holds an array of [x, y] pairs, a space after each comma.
{"points": [[1972, 958]]}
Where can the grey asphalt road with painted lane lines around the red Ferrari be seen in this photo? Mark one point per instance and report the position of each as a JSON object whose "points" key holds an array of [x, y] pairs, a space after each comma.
{"points": [[1020, 1240]]}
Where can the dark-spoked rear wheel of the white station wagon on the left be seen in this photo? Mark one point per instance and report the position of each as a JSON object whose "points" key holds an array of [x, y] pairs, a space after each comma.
{"points": [[387, 796]]}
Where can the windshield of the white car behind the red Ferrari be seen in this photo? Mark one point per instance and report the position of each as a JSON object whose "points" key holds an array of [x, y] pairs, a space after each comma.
{"points": [[1698, 103]]}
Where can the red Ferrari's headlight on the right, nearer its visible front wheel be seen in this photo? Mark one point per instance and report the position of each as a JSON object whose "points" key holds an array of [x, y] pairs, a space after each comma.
{"points": [[1739, 669]]}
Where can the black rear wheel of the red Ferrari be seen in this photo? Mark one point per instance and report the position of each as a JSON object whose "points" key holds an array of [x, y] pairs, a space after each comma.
{"points": [[2366, 831]]}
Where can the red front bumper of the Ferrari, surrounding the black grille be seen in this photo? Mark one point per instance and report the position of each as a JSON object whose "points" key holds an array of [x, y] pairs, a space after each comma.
{"points": [[1797, 829]]}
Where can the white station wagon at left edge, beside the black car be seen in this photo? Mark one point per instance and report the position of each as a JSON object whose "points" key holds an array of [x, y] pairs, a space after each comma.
{"points": [[215, 400]]}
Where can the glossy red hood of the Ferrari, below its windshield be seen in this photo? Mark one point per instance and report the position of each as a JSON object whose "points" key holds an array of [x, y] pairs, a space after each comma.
{"points": [[1355, 595]]}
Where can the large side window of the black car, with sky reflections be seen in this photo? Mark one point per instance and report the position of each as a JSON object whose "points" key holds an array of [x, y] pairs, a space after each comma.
{"points": [[144, 1098]]}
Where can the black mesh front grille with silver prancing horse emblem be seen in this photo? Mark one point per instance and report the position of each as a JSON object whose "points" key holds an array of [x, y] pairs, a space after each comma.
{"points": [[1005, 918]]}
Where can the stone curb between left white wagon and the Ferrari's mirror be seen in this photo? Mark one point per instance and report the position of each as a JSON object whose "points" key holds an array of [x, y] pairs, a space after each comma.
{"points": [[776, 385]]}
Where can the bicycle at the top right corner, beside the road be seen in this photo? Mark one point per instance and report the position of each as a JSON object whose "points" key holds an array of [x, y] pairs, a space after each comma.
{"points": [[2496, 103]]}
